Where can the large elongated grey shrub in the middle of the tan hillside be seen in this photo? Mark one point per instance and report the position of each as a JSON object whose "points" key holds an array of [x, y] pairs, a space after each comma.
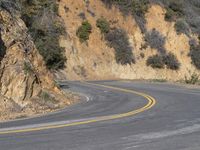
{"points": [[118, 40]]}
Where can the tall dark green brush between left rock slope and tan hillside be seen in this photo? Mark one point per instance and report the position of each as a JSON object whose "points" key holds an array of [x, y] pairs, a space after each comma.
{"points": [[45, 27]]}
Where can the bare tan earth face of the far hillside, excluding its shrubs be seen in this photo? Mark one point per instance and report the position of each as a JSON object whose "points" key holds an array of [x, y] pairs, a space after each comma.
{"points": [[95, 59]]}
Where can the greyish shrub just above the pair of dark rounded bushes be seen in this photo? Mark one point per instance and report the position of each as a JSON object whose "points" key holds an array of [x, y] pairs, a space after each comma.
{"points": [[156, 41]]}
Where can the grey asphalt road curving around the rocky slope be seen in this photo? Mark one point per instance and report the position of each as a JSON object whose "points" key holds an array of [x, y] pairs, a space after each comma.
{"points": [[116, 116]]}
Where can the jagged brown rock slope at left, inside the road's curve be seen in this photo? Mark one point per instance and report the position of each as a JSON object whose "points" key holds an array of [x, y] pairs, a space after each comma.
{"points": [[26, 86]]}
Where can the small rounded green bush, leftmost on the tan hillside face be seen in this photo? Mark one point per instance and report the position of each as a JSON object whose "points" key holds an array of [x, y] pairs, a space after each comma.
{"points": [[84, 31]]}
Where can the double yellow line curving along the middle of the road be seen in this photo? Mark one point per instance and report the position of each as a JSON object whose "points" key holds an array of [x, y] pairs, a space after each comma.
{"points": [[150, 104]]}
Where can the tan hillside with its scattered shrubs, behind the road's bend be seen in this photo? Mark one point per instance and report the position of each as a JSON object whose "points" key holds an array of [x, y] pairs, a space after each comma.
{"points": [[160, 41]]}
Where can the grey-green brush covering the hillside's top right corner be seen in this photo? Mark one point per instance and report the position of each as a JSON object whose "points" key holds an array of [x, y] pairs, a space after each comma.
{"points": [[188, 10]]}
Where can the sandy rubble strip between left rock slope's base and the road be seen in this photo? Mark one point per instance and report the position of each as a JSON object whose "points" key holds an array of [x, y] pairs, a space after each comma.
{"points": [[46, 103]]}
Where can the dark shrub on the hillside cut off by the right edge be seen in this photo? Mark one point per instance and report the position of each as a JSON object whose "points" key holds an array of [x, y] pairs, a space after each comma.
{"points": [[195, 55]]}
